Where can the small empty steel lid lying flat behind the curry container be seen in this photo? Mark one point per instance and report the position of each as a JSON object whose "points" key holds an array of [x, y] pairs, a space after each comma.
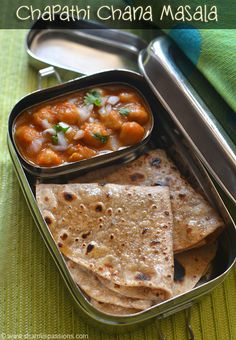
{"points": [[81, 47]]}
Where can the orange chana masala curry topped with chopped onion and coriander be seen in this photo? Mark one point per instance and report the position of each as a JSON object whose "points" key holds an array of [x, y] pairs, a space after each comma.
{"points": [[82, 125]]}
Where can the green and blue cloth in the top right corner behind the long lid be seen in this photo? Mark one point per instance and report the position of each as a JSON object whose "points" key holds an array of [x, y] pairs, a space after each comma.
{"points": [[214, 53]]}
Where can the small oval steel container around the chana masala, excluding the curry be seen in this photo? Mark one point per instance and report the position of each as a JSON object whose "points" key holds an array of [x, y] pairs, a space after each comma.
{"points": [[124, 154]]}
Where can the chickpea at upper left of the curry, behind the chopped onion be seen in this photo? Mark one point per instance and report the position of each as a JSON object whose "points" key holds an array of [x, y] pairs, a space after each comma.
{"points": [[67, 113]]}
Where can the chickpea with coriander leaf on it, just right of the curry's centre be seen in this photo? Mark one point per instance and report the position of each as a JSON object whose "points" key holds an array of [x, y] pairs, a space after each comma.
{"points": [[95, 134]]}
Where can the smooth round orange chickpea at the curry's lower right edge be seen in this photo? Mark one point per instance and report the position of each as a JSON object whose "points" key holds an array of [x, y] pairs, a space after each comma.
{"points": [[131, 133]]}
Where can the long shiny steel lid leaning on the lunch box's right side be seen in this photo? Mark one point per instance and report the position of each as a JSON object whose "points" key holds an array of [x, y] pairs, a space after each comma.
{"points": [[158, 63]]}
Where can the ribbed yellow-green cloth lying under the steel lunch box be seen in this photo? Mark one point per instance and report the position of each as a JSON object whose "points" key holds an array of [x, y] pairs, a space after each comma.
{"points": [[33, 297]]}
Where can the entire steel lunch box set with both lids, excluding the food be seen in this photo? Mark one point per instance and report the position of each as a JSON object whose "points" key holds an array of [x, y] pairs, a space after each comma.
{"points": [[182, 123]]}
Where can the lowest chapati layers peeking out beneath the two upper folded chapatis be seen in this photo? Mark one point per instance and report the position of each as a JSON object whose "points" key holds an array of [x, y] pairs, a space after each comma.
{"points": [[110, 298]]}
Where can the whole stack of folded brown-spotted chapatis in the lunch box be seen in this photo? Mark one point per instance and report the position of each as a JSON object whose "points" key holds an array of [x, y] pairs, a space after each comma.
{"points": [[120, 227]]}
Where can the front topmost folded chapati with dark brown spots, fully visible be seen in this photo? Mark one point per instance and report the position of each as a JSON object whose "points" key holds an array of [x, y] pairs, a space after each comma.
{"points": [[121, 233]]}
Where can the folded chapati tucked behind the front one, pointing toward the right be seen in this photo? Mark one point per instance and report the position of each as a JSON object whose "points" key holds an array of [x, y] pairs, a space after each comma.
{"points": [[195, 222]]}
